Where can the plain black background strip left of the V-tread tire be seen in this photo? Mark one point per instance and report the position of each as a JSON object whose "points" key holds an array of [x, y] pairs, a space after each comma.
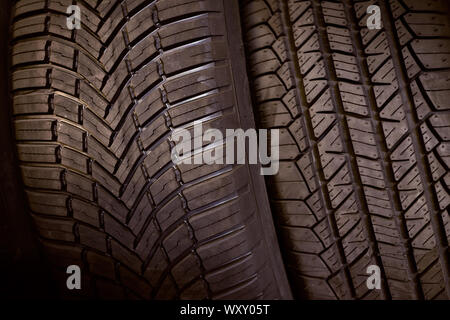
{"points": [[22, 270]]}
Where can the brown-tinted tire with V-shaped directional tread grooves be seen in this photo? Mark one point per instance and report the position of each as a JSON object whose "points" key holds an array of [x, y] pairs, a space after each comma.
{"points": [[93, 110]]}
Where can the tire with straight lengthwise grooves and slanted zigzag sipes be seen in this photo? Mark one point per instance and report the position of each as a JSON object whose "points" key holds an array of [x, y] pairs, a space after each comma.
{"points": [[364, 132]]}
